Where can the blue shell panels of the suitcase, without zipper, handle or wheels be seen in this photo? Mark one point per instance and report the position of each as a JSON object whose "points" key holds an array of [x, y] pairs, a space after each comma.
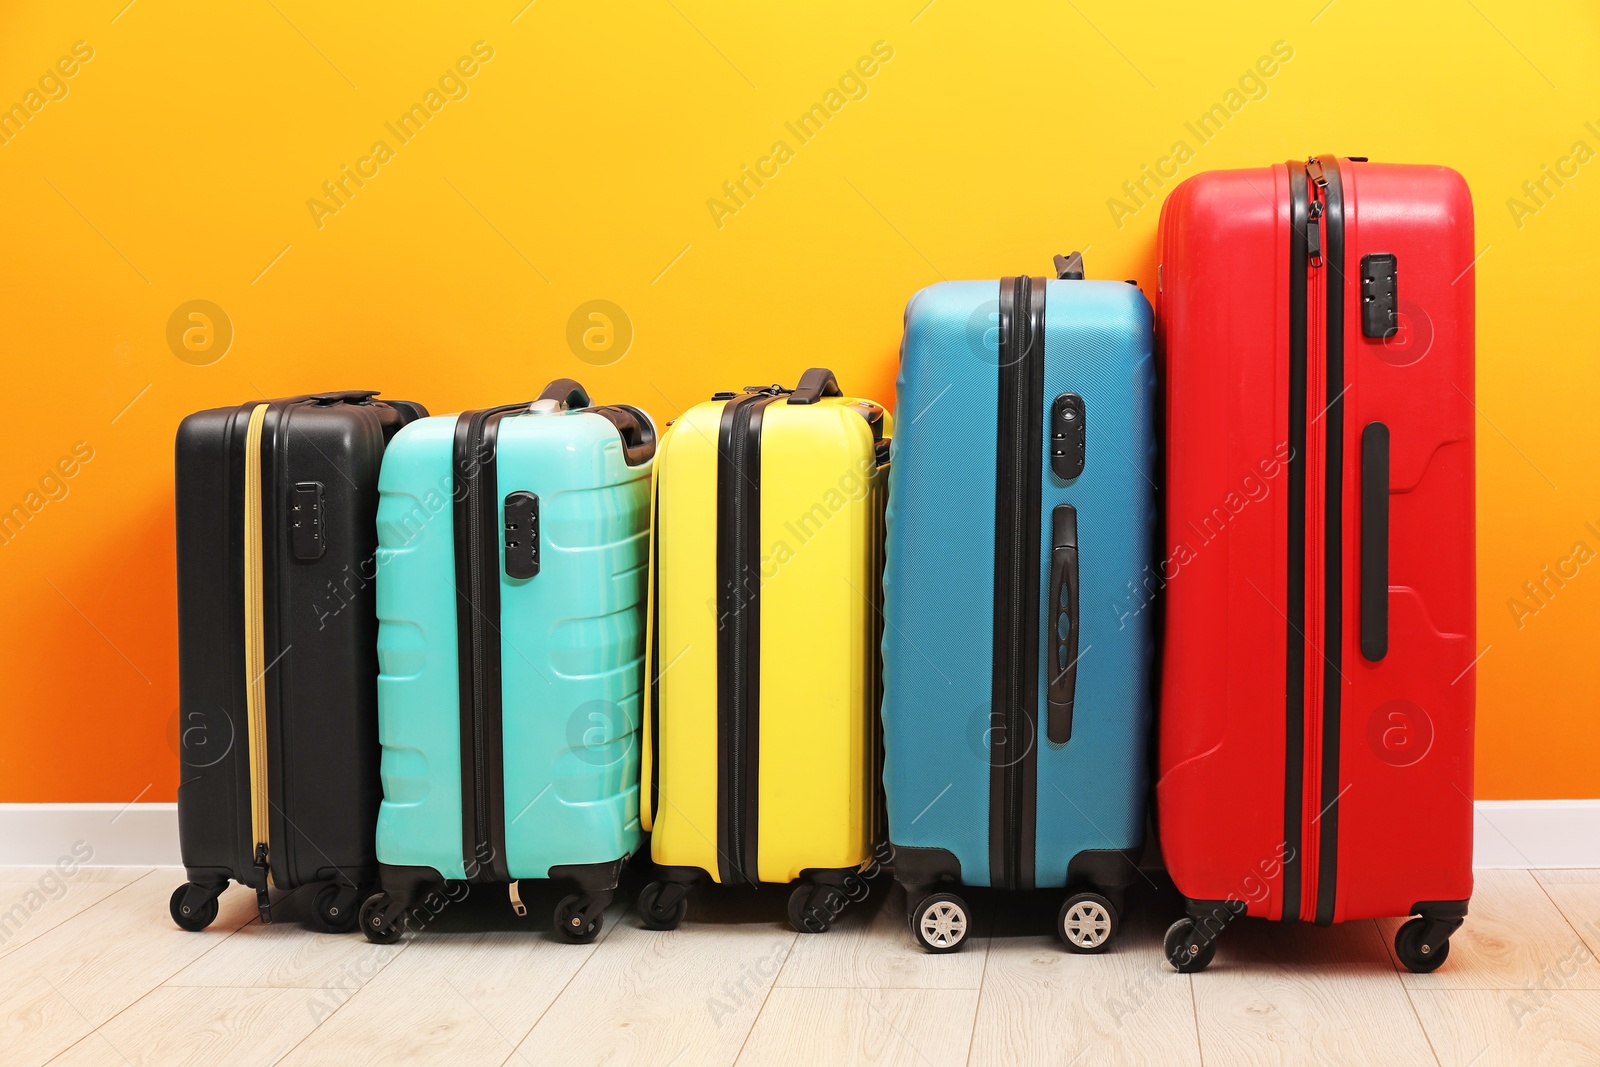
{"points": [[940, 583]]}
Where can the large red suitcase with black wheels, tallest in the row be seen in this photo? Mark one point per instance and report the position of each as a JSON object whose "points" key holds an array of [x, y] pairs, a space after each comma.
{"points": [[1318, 687]]}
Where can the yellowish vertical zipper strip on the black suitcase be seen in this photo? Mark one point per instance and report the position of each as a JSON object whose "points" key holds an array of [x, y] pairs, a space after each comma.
{"points": [[255, 663]]}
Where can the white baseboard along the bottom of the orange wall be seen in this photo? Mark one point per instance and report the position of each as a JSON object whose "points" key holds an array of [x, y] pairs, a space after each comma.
{"points": [[1506, 834]]}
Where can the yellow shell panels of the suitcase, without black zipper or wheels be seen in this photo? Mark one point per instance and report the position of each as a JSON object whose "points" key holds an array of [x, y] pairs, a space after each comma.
{"points": [[822, 500]]}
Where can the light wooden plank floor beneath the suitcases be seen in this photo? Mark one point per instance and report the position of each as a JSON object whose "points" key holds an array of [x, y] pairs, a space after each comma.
{"points": [[92, 972]]}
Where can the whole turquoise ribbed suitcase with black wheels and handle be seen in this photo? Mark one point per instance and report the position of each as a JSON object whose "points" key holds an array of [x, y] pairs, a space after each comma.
{"points": [[511, 593]]}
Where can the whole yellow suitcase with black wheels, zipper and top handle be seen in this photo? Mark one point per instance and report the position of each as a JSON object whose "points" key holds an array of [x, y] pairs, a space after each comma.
{"points": [[762, 749]]}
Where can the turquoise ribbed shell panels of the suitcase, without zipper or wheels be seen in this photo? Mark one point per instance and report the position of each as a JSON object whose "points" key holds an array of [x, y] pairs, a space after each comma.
{"points": [[572, 649]]}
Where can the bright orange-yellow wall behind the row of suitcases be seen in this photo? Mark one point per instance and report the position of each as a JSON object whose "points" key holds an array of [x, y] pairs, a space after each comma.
{"points": [[178, 161]]}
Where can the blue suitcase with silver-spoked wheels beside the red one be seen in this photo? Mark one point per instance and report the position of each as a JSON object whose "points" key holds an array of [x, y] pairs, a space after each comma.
{"points": [[1018, 639]]}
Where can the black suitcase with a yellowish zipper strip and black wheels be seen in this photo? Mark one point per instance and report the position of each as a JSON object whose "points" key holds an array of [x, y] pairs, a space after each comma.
{"points": [[276, 666]]}
